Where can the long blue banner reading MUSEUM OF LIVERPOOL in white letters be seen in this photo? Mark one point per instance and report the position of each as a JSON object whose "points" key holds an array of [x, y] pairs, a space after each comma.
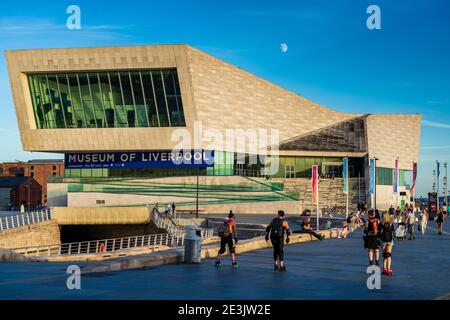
{"points": [[140, 159]]}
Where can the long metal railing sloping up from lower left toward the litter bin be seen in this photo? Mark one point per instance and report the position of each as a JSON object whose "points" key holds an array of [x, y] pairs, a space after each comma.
{"points": [[103, 246]]}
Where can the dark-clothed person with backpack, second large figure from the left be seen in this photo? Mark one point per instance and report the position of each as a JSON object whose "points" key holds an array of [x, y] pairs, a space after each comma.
{"points": [[277, 228]]}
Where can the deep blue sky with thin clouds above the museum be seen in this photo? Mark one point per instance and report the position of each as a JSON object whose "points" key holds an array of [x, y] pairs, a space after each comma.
{"points": [[333, 58]]}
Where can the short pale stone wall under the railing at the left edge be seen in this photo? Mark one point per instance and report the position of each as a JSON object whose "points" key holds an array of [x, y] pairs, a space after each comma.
{"points": [[38, 234]]}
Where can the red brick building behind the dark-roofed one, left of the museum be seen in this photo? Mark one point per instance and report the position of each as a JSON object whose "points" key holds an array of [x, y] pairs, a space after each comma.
{"points": [[38, 170]]}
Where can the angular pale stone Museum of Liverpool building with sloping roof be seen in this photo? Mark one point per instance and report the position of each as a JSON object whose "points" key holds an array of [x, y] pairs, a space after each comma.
{"points": [[115, 114]]}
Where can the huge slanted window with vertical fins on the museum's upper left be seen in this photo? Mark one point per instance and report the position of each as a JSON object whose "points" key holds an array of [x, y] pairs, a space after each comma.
{"points": [[107, 99]]}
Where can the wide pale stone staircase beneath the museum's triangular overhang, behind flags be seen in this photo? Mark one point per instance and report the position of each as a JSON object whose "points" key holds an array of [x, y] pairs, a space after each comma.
{"points": [[330, 192]]}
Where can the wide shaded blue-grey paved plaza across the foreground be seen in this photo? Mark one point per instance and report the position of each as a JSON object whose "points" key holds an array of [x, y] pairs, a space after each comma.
{"points": [[332, 269]]}
